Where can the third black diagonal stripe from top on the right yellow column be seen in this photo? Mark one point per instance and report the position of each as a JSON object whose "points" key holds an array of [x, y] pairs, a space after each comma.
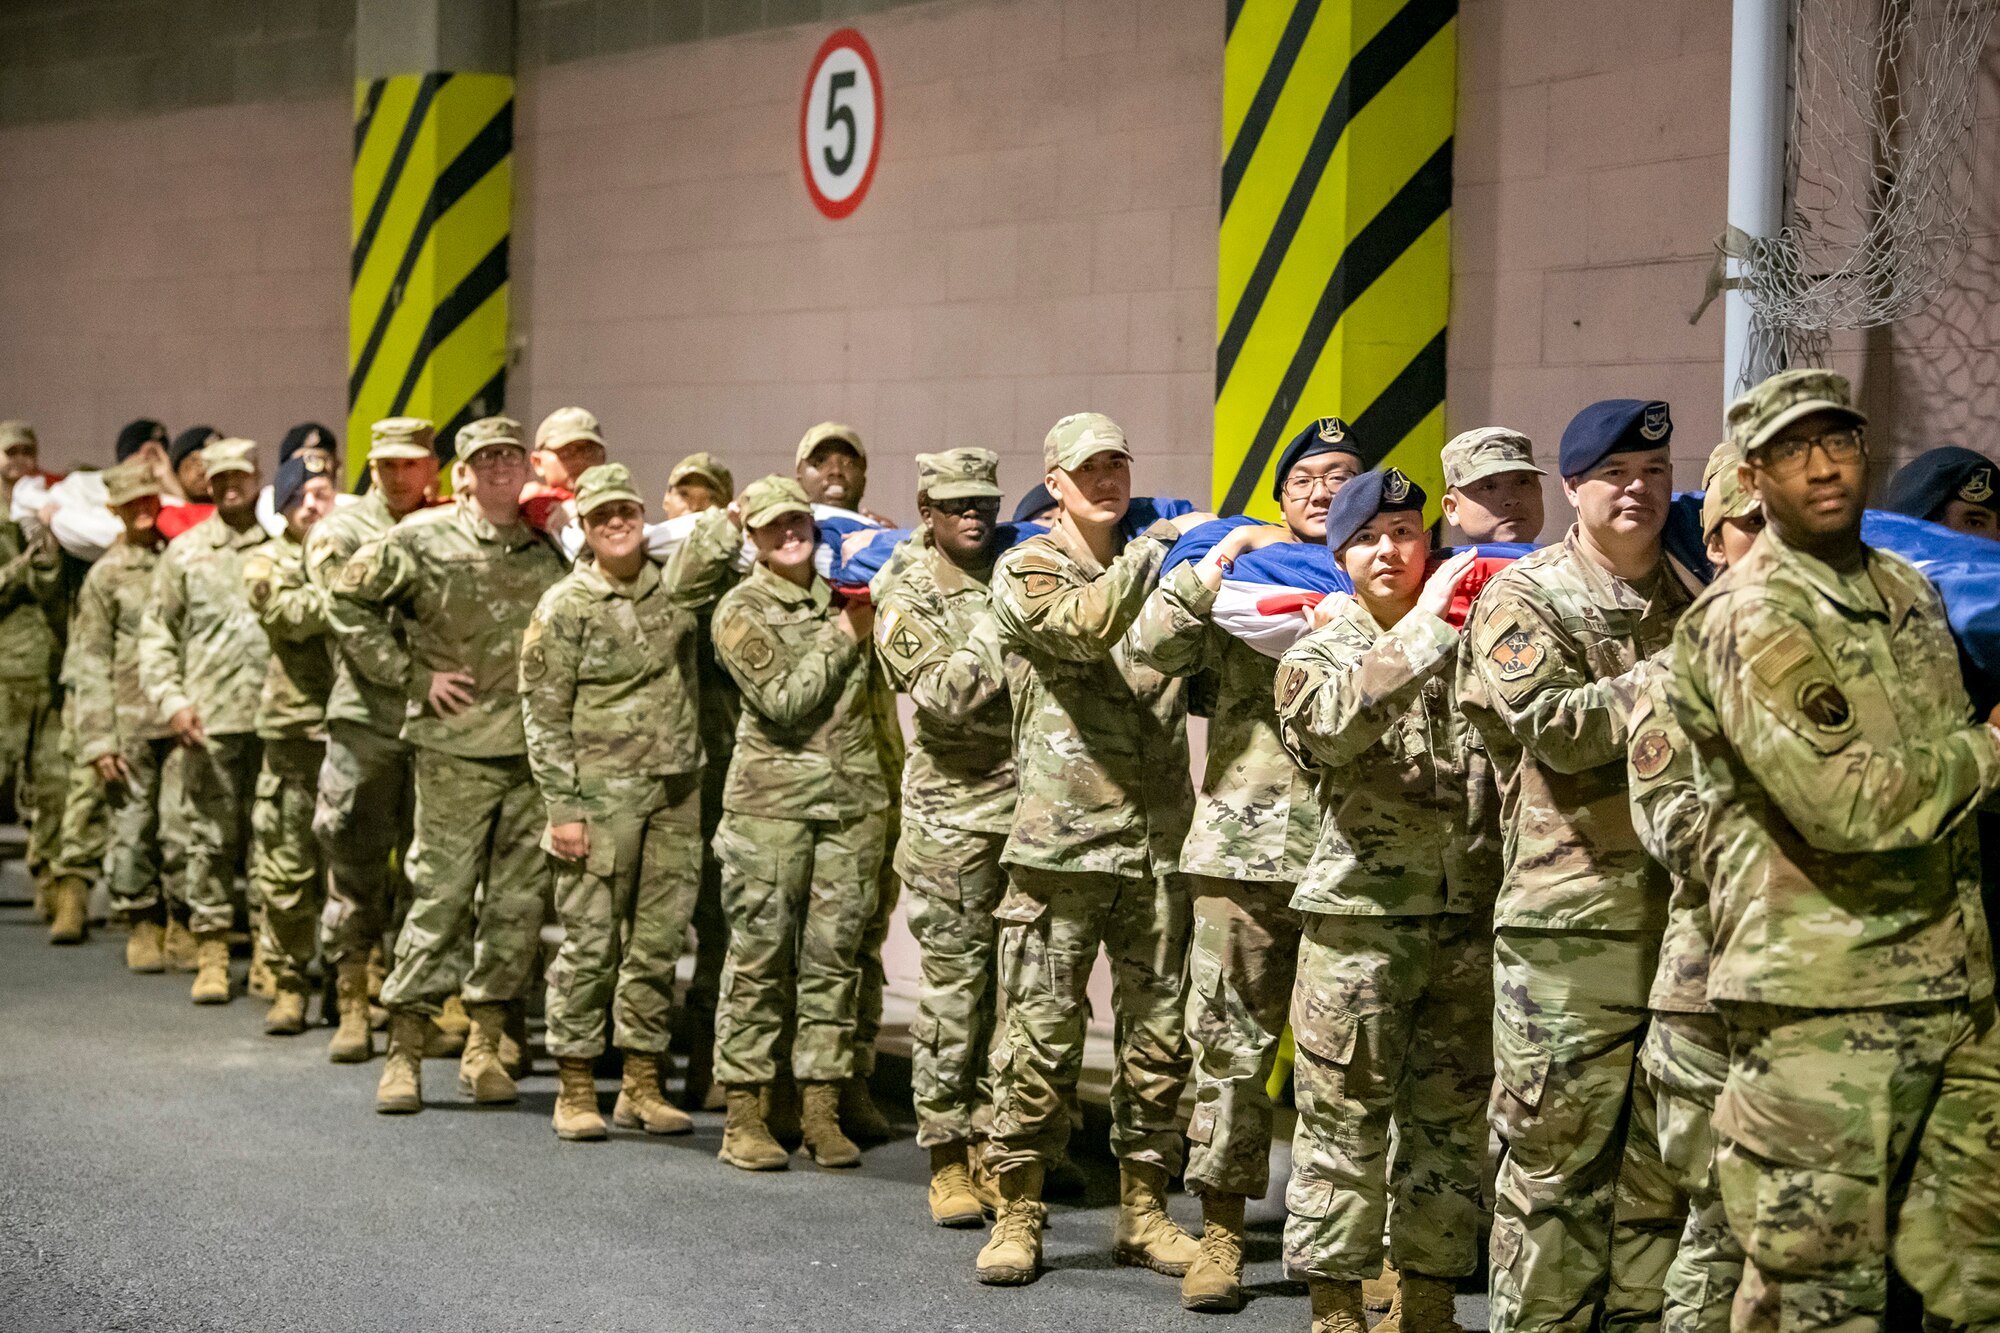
{"points": [[1409, 215]]}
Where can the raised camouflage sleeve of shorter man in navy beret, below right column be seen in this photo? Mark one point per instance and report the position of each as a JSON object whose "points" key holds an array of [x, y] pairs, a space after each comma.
{"points": [[1337, 698]]}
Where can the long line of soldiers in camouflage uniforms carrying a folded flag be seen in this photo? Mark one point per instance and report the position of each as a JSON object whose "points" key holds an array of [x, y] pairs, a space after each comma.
{"points": [[1675, 888]]}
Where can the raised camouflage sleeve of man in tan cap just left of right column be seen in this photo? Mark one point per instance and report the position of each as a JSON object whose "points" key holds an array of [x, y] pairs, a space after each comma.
{"points": [[1047, 605]]}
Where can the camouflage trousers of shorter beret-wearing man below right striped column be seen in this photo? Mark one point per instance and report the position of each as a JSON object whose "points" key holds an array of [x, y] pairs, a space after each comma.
{"points": [[1391, 1018]]}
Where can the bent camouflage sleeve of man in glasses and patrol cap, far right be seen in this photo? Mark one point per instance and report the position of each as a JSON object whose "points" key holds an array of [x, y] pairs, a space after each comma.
{"points": [[1793, 728]]}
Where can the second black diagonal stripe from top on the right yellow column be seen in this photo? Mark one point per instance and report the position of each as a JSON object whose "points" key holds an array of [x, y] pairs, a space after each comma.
{"points": [[1367, 75]]}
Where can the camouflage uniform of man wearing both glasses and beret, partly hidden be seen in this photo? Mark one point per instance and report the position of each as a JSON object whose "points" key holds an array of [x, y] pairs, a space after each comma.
{"points": [[1255, 824]]}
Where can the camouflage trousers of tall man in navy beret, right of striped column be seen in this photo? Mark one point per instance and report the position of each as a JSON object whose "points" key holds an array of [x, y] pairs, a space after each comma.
{"points": [[1587, 1214]]}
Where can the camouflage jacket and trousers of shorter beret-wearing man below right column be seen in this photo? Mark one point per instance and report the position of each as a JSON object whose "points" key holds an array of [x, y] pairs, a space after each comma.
{"points": [[1395, 972]]}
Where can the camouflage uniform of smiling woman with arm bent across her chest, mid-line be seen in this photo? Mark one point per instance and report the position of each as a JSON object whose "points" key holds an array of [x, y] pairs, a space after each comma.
{"points": [[803, 832]]}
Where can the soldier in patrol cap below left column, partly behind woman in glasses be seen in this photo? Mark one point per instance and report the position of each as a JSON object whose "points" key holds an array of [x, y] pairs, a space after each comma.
{"points": [[363, 816]]}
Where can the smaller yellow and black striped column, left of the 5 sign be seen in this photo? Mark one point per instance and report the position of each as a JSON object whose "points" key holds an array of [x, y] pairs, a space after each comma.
{"points": [[429, 289]]}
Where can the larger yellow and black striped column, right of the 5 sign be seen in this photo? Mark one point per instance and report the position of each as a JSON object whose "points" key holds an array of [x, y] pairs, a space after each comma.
{"points": [[1335, 257]]}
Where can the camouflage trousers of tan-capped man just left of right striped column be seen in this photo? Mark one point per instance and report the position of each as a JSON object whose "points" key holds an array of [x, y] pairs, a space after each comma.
{"points": [[1051, 930]]}
